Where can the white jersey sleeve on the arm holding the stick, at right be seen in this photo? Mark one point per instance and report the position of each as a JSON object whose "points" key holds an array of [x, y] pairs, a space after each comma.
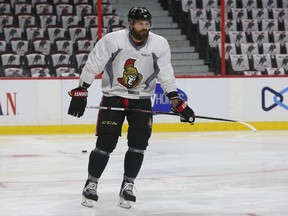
{"points": [[166, 76]]}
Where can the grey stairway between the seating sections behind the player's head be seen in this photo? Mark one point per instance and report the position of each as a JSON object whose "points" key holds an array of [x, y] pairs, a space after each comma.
{"points": [[184, 58]]}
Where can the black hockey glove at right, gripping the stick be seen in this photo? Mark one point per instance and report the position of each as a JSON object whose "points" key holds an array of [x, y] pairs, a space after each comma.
{"points": [[185, 112]]}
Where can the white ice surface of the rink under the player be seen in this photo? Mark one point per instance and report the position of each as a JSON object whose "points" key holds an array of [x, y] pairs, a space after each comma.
{"points": [[193, 173]]}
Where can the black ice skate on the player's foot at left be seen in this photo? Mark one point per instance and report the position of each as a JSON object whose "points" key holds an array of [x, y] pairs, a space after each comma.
{"points": [[89, 194]]}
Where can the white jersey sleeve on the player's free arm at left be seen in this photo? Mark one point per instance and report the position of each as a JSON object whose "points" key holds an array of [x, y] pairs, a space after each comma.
{"points": [[97, 60]]}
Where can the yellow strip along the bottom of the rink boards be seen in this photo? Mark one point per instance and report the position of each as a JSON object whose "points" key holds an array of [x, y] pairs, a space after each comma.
{"points": [[157, 127]]}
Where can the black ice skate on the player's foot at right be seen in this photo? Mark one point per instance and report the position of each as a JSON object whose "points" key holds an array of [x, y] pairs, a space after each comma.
{"points": [[126, 195]]}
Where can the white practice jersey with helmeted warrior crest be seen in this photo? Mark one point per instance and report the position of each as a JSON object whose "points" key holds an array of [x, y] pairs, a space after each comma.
{"points": [[130, 71]]}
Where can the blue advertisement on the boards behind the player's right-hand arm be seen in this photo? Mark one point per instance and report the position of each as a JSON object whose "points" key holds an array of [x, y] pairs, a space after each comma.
{"points": [[160, 101]]}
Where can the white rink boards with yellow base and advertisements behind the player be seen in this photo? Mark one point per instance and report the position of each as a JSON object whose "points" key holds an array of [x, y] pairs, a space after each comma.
{"points": [[40, 106]]}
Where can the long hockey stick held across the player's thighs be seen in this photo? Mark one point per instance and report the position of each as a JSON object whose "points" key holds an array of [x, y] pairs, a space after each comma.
{"points": [[169, 113]]}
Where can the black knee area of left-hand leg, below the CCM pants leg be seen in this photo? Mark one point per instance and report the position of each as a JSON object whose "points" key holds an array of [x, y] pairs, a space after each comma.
{"points": [[106, 143]]}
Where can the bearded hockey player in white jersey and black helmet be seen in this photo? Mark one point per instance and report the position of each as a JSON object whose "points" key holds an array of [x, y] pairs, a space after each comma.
{"points": [[131, 60]]}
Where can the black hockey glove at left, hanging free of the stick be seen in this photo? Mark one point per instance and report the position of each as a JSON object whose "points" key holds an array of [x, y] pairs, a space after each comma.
{"points": [[78, 101]]}
